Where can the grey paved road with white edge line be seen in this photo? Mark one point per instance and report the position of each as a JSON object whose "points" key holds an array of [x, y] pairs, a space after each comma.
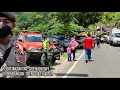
{"points": [[105, 64]]}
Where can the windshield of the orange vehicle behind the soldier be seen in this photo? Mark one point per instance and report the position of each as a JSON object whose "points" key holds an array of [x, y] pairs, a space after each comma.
{"points": [[33, 38]]}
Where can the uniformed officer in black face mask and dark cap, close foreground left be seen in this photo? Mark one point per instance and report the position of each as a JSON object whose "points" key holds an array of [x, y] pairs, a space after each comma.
{"points": [[11, 54]]}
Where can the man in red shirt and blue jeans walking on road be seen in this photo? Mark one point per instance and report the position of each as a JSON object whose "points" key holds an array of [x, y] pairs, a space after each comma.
{"points": [[88, 45]]}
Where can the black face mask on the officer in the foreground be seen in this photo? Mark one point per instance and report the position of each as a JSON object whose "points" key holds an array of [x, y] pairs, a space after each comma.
{"points": [[4, 30]]}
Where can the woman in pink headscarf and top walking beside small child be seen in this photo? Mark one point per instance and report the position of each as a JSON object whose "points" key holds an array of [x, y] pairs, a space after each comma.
{"points": [[74, 44]]}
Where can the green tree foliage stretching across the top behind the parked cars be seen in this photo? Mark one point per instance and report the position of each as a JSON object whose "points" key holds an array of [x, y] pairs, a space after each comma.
{"points": [[63, 22]]}
